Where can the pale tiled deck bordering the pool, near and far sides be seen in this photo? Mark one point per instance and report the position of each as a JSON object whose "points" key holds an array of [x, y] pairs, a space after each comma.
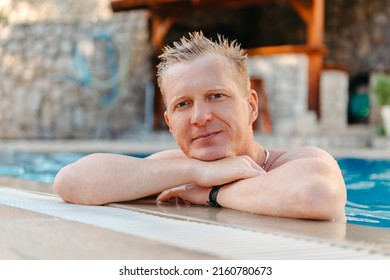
{"points": [[36, 224]]}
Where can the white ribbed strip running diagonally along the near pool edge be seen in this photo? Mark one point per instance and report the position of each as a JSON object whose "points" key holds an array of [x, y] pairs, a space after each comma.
{"points": [[223, 241]]}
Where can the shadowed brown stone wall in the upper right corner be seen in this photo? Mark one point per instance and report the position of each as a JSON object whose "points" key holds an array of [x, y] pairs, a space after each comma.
{"points": [[357, 34]]}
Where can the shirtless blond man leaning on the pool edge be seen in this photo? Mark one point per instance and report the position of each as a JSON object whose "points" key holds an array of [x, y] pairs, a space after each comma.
{"points": [[210, 110]]}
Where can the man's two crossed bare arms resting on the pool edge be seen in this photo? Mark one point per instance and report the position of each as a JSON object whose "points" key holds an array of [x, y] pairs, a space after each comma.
{"points": [[304, 183]]}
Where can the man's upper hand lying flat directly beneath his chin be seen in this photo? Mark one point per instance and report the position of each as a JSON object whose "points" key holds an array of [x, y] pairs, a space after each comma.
{"points": [[227, 170]]}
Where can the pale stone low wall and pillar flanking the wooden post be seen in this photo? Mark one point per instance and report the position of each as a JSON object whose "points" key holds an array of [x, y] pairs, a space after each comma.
{"points": [[285, 79]]}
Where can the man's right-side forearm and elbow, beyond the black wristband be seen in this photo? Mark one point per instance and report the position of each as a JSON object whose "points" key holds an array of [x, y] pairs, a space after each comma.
{"points": [[284, 192]]}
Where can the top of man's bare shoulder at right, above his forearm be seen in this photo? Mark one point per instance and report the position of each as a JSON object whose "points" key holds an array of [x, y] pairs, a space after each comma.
{"points": [[279, 158]]}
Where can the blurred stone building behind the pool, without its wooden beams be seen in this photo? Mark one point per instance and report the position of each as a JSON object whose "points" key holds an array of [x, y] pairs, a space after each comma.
{"points": [[77, 70]]}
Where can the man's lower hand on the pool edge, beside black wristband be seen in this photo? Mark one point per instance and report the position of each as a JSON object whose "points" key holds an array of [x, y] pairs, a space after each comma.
{"points": [[190, 193]]}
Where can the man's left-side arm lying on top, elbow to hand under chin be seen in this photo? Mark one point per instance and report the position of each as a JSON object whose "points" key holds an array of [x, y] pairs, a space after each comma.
{"points": [[104, 178]]}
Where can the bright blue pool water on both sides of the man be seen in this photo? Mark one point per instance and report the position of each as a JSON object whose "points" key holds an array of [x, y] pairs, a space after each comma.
{"points": [[368, 181]]}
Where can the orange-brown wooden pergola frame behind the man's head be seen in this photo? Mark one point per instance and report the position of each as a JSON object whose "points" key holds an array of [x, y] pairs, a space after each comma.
{"points": [[164, 13]]}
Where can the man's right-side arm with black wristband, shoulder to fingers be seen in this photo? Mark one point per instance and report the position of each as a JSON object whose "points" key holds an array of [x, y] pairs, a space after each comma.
{"points": [[304, 183]]}
